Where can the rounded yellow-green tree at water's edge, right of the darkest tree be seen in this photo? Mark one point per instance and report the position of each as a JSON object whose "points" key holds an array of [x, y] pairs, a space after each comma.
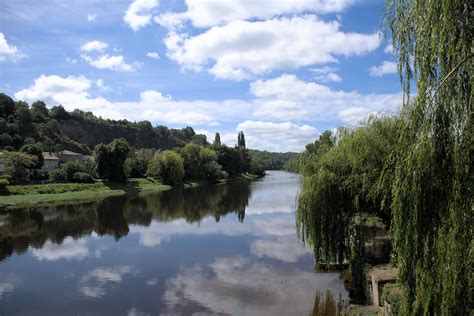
{"points": [[168, 166]]}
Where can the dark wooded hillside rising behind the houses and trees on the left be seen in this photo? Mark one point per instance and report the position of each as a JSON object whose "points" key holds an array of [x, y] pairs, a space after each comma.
{"points": [[56, 129]]}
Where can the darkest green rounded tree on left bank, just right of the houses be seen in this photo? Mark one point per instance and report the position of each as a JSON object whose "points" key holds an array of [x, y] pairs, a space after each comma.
{"points": [[110, 160]]}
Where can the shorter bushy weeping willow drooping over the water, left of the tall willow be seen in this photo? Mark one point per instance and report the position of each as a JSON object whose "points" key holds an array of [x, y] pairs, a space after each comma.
{"points": [[340, 181]]}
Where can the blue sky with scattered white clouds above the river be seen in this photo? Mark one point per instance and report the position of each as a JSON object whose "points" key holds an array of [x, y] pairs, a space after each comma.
{"points": [[280, 71]]}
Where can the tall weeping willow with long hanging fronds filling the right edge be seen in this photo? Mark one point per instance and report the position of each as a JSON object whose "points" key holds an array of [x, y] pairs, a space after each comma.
{"points": [[432, 187]]}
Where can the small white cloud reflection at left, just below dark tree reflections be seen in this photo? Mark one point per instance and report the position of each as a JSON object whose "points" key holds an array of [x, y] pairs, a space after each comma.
{"points": [[69, 249]]}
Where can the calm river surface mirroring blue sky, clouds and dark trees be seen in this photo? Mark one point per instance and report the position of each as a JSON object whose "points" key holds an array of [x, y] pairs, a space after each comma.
{"points": [[226, 249]]}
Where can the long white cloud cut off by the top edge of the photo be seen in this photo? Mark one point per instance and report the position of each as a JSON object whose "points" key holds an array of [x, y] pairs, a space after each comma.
{"points": [[207, 13]]}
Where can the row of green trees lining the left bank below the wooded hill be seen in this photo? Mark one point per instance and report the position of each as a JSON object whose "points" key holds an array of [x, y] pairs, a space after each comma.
{"points": [[115, 162]]}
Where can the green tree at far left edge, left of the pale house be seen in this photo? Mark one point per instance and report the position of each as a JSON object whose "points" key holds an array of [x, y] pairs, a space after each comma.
{"points": [[18, 164]]}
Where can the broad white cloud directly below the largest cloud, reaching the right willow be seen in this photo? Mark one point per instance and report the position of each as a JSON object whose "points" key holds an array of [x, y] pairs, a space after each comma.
{"points": [[289, 97]]}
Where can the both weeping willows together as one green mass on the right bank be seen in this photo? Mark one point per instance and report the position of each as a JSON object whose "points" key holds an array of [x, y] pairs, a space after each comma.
{"points": [[413, 170]]}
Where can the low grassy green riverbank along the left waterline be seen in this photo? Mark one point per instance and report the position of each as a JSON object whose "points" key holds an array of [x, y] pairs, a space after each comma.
{"points": [[74, 193]]}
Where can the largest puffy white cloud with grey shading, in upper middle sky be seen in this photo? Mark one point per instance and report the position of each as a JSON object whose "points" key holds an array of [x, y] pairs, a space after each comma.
{"points": [[241, 49]]}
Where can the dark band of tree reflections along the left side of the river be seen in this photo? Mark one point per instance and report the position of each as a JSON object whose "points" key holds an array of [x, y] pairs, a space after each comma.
{"points": [[22, 228]]}
